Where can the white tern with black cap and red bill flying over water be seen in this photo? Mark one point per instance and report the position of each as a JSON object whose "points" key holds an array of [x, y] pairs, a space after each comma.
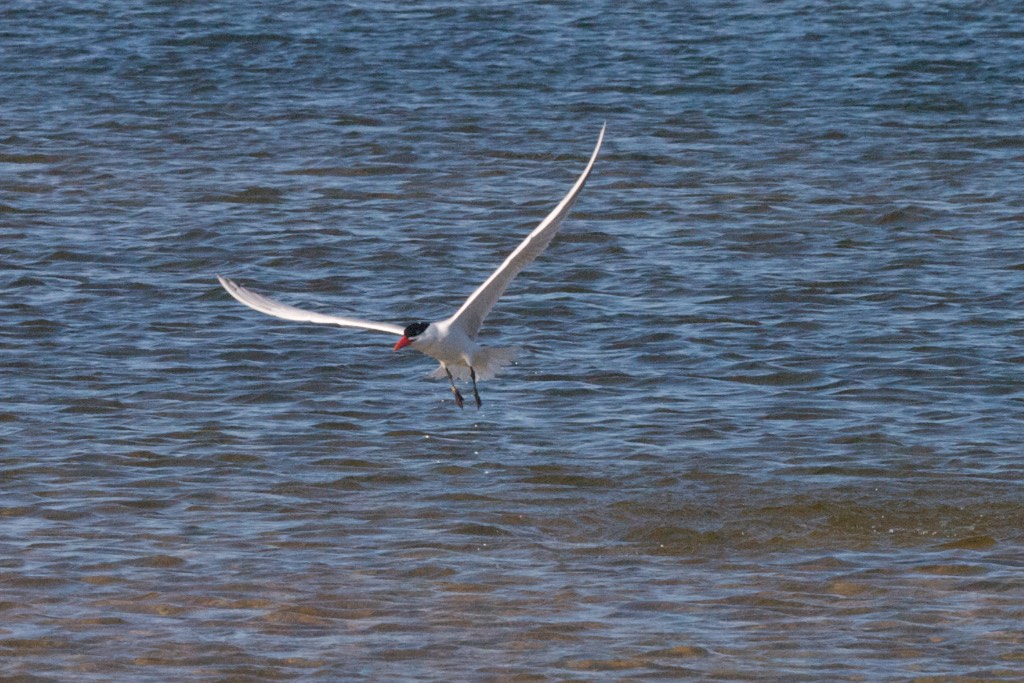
{"points": [[452, 341]]}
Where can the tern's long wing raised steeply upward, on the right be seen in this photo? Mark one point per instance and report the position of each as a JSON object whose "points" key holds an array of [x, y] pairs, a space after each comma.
{"points": [[480, 304]]}
